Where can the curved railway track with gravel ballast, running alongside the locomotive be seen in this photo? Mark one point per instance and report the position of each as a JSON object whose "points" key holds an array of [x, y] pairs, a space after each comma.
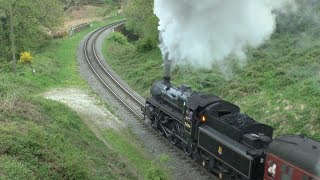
{"points": [[128, 100]]}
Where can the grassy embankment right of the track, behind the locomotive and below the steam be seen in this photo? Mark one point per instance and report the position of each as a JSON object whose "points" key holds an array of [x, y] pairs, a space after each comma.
{"points": [[279, 86]]}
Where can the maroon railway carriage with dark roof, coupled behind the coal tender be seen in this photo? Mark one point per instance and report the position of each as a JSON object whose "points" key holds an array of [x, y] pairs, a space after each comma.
{"points": [[293, 157]]}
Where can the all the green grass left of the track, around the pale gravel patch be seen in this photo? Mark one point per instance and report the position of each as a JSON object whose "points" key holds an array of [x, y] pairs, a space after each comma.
{"points": [[44, 139]]}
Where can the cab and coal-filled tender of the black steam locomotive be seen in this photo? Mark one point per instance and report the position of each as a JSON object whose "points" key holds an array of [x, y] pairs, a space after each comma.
{"points": [[225, 135]]}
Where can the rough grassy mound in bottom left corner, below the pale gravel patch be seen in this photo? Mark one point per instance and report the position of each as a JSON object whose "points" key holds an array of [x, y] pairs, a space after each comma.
{"points": [[44, 139]]}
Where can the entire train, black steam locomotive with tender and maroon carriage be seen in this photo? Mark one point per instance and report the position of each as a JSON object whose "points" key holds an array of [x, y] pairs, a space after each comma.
{"points": [[228, 143]]}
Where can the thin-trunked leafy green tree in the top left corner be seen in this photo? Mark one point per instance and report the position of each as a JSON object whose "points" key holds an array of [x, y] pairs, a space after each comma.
{"points": [[28, 20]]}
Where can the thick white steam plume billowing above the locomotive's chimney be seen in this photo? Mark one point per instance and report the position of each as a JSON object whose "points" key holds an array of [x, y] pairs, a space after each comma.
{"points": [[202, 33]]}
